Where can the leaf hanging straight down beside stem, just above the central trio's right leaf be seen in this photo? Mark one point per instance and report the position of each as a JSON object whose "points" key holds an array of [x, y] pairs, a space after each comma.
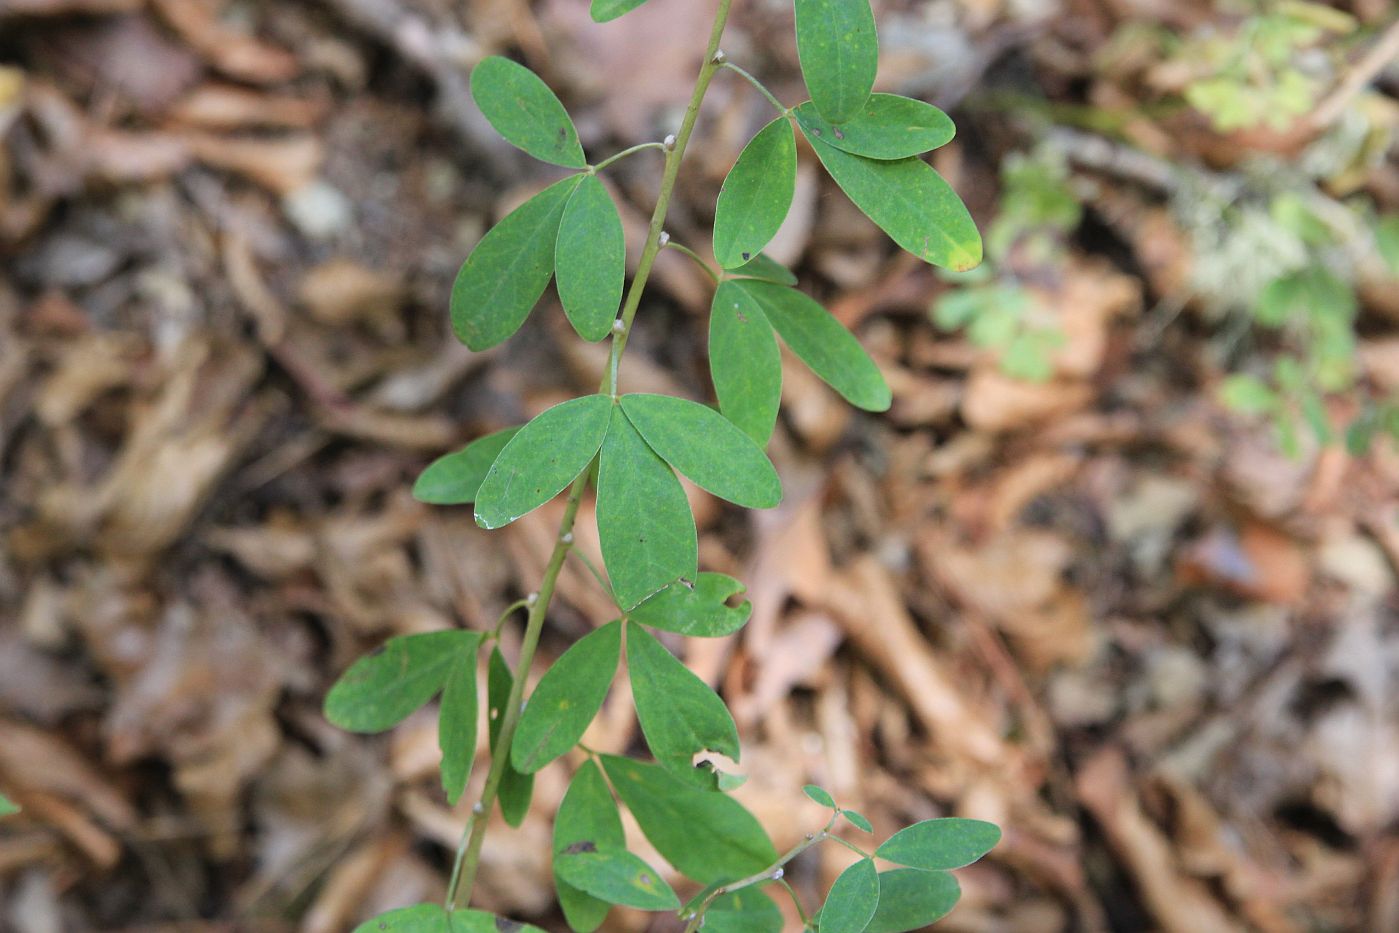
{"points": [[745, 362]]}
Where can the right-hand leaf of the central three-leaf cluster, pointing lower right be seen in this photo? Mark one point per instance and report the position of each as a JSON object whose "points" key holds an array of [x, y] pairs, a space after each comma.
{"points": [[707, 448]]}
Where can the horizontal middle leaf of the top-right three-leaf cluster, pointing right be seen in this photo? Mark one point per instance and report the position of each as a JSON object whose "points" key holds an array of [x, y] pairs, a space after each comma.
{"points": [[888, 128]]}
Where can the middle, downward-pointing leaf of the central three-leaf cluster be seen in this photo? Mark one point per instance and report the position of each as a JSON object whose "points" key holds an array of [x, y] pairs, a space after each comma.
{"points": [[644, 521]]}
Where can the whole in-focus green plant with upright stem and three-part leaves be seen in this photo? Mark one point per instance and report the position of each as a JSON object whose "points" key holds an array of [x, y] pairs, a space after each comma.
{"points": [[629, 448]]}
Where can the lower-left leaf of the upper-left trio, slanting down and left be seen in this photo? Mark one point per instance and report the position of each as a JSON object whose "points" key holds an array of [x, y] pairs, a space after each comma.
{"points": [[503, 279]]}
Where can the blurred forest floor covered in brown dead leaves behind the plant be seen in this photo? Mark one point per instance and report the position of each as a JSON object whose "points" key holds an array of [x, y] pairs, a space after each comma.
{"points": [[1102, 611]]}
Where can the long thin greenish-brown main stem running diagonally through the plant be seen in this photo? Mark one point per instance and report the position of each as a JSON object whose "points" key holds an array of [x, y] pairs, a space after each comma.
{"points": [[469, 855]]}
